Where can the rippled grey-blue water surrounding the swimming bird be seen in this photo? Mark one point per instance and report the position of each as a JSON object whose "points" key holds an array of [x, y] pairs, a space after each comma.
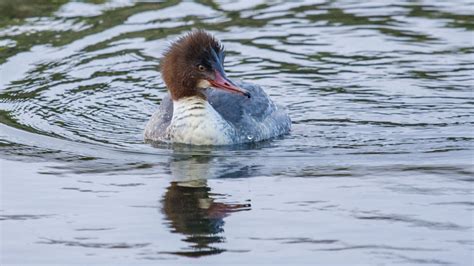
{"points": [[377, 169]]}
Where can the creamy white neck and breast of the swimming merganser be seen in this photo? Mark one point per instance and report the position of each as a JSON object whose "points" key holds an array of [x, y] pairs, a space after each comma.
{"points": [[196, 122]]}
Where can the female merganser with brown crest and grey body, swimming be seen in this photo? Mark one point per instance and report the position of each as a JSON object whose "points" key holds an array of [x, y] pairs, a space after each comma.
{"points": [[193, 113]]}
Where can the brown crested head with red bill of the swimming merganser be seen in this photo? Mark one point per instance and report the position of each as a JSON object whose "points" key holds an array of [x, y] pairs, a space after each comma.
{"points": [[194, 62]]}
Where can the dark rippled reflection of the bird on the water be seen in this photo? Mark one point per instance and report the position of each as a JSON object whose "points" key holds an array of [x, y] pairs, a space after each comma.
{"points": [[193, 210]]}
